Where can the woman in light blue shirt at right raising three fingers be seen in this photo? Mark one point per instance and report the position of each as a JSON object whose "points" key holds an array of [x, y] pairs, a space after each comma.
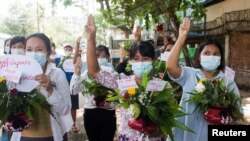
{"points": [[210, 63]]}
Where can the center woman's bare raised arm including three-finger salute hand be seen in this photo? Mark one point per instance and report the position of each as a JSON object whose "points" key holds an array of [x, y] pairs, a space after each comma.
{"points": [[92, 63]]}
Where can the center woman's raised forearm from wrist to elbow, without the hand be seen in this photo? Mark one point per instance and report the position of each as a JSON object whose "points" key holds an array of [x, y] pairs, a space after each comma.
{"points": [[92, 63]]}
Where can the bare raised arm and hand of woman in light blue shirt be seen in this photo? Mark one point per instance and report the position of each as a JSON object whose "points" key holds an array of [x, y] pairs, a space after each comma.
{"points": [[173, 66]]}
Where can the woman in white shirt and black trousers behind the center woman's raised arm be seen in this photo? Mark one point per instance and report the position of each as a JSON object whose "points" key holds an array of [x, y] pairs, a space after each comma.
{"points": [[99, 116]]}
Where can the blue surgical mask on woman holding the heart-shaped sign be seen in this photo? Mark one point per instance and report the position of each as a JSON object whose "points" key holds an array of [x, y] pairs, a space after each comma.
{"points": [[40, 57]]}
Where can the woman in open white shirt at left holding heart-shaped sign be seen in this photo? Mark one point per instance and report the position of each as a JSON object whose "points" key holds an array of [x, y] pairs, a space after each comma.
{"points": [[54, 86]]}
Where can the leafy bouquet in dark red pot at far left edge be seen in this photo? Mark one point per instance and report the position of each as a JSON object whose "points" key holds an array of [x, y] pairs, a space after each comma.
{"points": [[18, 108]]}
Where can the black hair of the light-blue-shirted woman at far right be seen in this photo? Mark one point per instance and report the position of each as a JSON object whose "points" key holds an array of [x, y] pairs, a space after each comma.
{"points": [[210, 41]]}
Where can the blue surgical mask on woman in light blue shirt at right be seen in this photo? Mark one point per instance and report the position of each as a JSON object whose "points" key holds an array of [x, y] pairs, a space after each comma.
{"points": [[210, 63]]}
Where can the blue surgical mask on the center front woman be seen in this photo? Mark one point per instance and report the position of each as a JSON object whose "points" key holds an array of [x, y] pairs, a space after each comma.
{"points": [[141, 67]]}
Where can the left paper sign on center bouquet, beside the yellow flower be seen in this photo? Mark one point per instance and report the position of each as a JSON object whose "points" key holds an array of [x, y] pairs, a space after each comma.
{"points": [[124, 84]]}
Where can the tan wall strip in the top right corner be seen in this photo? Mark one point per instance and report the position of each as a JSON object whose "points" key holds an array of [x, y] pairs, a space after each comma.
{"points": [[218, 9]]}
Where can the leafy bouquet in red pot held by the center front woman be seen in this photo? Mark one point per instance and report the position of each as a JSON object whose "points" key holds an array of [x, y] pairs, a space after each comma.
{"points": [[152, 110]]}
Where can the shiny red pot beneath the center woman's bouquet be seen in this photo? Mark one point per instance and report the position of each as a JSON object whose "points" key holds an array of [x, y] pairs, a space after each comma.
{"points": [[141, 125]]}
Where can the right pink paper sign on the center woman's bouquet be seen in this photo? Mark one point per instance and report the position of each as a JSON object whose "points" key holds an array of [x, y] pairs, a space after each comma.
{"points": [[156, 85]]}
